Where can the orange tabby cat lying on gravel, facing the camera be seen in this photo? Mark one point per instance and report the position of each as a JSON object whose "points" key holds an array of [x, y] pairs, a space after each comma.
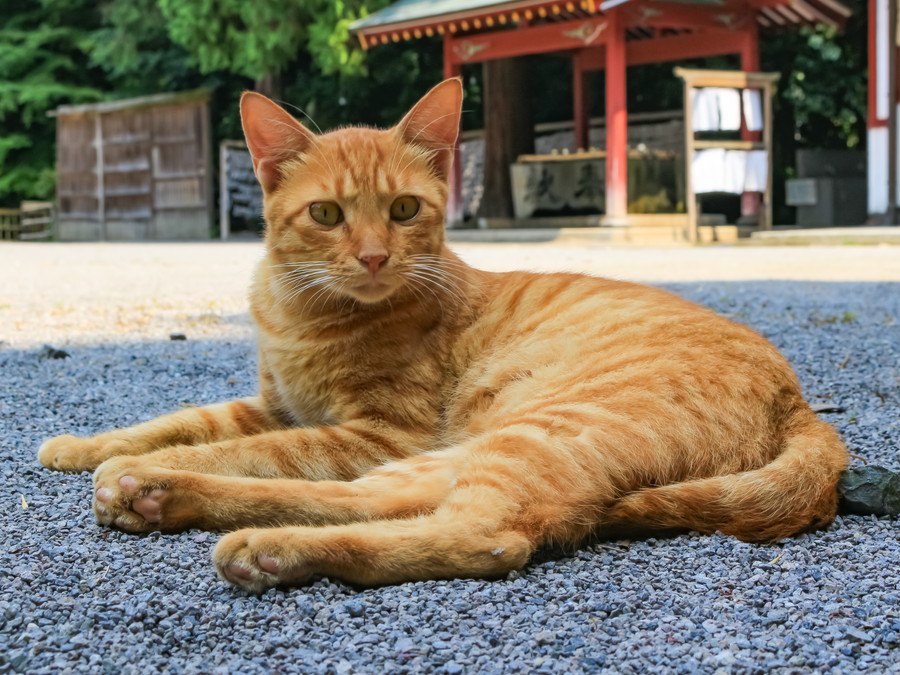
{"points": [[417, 418]]}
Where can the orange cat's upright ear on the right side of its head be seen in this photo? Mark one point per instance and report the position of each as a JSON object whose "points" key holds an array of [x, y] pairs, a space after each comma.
{"points": [[434, 122]]}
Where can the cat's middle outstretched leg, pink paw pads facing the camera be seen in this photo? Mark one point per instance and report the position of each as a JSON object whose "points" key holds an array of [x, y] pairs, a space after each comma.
{"points": [[151, 498]]}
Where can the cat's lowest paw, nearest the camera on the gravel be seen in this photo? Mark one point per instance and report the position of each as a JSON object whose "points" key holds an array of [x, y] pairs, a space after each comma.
{"points": [[258, 559]]}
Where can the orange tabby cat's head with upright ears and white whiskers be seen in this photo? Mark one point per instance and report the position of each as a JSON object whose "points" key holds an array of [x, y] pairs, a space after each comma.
{"points": [[353, 207]]}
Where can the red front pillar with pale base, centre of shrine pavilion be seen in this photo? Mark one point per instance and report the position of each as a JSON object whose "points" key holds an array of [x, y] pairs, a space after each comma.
{"points": [[616, 118]]}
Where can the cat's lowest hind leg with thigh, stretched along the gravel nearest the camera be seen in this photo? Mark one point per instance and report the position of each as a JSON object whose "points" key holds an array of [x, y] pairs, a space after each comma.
{"points": [[510, 492]]}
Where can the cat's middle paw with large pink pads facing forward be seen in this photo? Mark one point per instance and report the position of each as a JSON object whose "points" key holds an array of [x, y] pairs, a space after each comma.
{"points": [[135, 496]]}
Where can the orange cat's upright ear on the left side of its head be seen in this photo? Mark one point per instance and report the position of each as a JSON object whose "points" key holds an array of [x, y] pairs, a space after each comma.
{"points": [[273, 136]]}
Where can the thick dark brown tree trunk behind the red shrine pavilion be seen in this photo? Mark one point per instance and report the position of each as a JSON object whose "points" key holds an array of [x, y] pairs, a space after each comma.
{"points": [[508, 131]]}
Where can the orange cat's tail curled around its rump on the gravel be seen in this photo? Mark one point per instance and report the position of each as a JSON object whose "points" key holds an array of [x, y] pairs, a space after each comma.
{"points": [[796, 491]]}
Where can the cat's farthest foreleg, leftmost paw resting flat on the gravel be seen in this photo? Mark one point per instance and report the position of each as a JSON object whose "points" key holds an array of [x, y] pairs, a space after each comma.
{"points": [[190, 426]]}
